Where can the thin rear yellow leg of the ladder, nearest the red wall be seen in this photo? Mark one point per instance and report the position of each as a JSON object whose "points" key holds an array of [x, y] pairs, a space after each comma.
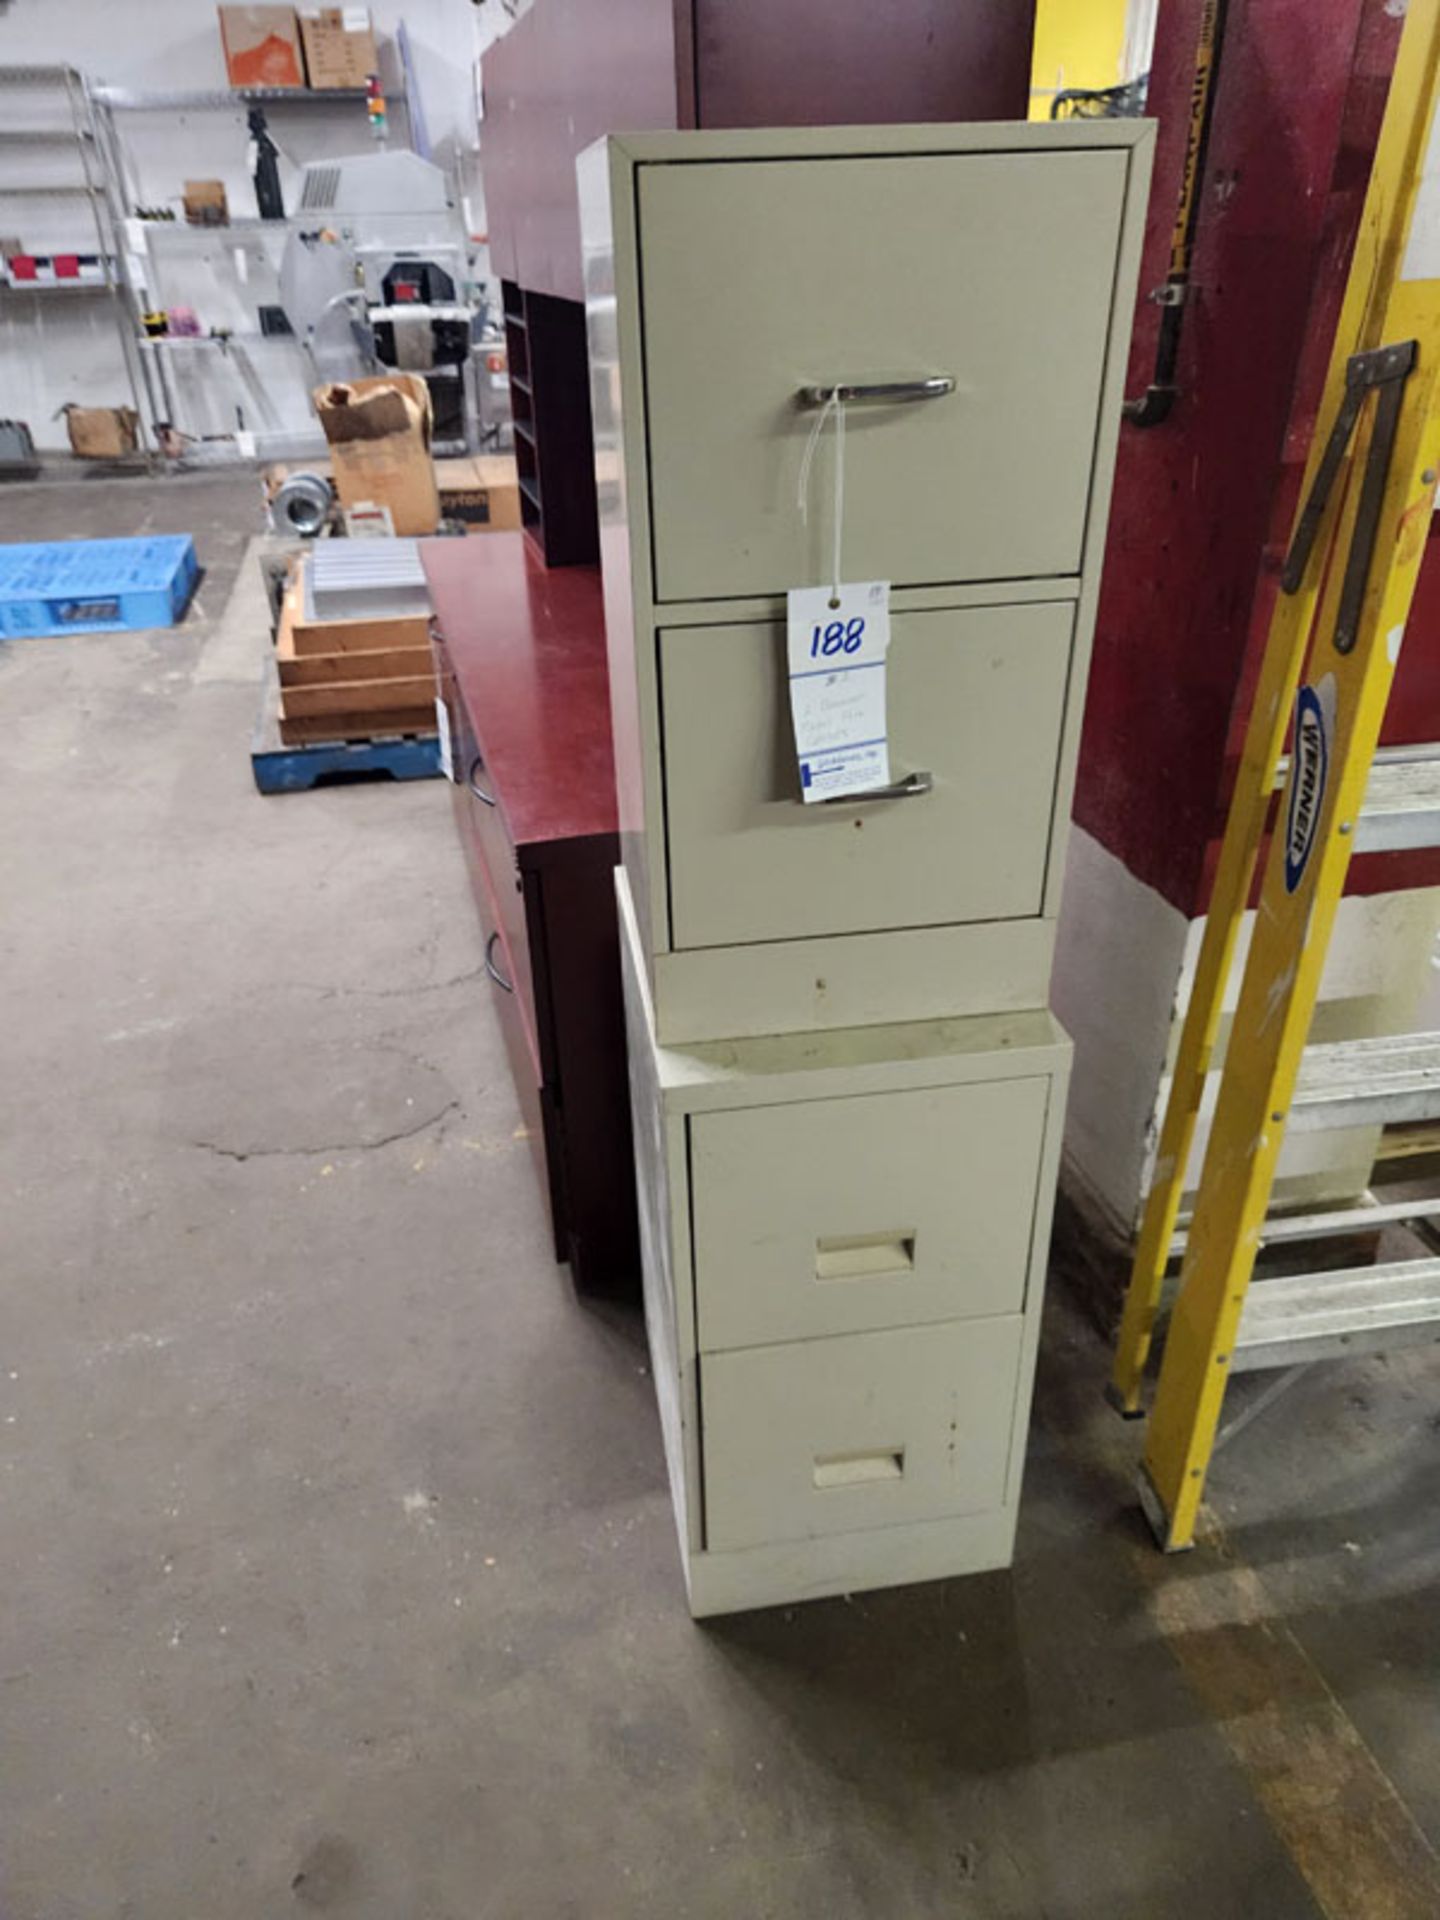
{"points": [[1380, 247]]}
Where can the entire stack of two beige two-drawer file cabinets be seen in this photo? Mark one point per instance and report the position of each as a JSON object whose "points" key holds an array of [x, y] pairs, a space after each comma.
{"points": [[848, 1084]]}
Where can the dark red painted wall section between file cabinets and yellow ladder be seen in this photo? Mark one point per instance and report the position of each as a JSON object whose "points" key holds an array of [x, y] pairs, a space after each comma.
{"points": [[1195, 498]]}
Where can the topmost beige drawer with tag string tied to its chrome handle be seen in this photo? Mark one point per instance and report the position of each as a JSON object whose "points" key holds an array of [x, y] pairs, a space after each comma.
{"points": [[767, 276]]}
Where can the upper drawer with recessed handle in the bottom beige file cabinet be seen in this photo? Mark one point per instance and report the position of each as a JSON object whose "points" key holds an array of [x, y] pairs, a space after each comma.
{"points": [[882, 1211]]}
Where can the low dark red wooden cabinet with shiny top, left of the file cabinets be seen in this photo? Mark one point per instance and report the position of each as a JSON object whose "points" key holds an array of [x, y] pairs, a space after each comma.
{"points": [[521, 667]]}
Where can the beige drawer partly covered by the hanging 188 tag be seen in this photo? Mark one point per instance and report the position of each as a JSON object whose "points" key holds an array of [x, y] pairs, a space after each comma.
{"points": [[976, 698]]}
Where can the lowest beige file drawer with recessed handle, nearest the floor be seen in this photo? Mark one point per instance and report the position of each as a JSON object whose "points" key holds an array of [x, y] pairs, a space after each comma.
{"points": [[878, 1429]]}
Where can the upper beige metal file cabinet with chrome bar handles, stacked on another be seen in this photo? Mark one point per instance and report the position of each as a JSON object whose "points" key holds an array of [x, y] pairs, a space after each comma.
{"points": [[992, 274]]}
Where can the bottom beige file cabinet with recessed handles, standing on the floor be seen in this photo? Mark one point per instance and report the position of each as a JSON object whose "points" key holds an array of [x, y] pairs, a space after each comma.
{"points": [[844, 1245]]}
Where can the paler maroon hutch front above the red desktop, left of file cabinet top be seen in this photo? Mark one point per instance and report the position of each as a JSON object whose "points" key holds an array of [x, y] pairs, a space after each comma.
{"points": [[562, 78]]}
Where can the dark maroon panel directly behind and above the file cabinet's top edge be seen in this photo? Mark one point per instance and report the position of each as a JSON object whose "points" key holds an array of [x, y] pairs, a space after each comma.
{"points": [[852, 62]]}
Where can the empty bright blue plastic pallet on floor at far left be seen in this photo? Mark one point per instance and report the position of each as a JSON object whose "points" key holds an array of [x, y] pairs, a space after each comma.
{"points": [[95, 587]]}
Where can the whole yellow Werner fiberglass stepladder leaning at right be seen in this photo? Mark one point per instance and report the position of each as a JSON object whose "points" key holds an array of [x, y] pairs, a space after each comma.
{"points": [[1347, 590]]}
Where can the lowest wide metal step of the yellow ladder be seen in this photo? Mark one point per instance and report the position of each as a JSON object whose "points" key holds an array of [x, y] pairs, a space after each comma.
{"points": [[1326, 1316]]}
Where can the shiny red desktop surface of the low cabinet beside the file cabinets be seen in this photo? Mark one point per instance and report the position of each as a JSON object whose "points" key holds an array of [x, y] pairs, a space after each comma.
{"points": [[529, 652]]}
